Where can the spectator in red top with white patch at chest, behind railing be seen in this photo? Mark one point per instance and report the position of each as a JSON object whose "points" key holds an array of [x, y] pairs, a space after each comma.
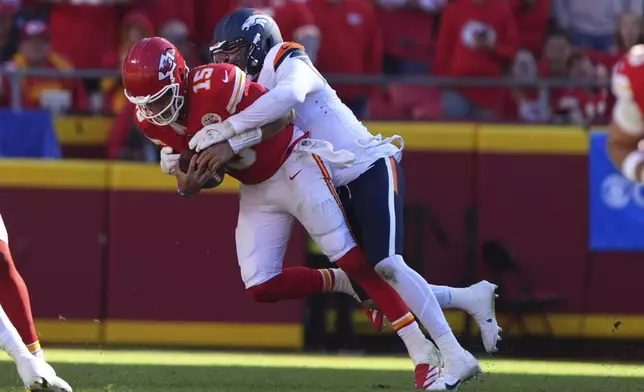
{"points": [[476, 38]]}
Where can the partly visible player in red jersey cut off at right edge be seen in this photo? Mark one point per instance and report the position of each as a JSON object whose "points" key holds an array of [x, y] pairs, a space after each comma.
{"points": [[626, 130]]}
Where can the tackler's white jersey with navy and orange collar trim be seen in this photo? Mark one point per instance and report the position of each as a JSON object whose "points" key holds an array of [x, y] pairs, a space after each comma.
{"points": [[294, 83]]}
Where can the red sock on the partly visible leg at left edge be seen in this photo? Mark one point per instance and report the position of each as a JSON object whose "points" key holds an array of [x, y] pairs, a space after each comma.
{"points": [[14, 298]]}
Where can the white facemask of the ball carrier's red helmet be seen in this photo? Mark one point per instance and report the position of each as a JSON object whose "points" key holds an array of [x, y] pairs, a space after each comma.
{"points": [[162, 108]]}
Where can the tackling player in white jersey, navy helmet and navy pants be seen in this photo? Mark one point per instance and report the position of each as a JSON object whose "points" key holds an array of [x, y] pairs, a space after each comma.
{"points": [[371, 190]]}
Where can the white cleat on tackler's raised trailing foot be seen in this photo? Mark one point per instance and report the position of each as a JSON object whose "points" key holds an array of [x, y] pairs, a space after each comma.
{"points": [[480, 305]]}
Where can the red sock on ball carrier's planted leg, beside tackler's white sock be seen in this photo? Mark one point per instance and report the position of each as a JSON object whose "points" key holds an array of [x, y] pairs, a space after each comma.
{"points": [[393, 307]]}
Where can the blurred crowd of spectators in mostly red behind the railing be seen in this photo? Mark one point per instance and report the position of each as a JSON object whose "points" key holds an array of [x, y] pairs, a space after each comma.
{"points": [[525, 39]]}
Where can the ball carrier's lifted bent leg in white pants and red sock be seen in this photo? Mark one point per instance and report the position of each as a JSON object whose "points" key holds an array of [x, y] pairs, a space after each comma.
{"points": [[262, 234]]}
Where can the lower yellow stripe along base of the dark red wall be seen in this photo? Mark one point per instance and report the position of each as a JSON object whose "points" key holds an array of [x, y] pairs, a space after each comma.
{"points": [[289, 335]]}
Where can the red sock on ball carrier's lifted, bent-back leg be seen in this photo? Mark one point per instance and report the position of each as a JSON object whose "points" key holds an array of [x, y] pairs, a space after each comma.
{"points": [[294, 283]]}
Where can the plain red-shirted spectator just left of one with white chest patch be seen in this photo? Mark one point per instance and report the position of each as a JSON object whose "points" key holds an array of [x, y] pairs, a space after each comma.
{"points": [[407, 31]]}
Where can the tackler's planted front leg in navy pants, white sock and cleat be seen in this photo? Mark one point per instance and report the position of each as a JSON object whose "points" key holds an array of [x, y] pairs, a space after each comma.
{"points": [[377, 200]]}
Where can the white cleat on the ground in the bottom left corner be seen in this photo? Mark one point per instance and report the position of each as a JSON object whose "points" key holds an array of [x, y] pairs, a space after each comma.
{"points": [[38, 375]]}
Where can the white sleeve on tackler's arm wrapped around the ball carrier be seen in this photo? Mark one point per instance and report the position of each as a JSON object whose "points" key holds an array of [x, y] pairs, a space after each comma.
{"points": [[296, 78]]}
